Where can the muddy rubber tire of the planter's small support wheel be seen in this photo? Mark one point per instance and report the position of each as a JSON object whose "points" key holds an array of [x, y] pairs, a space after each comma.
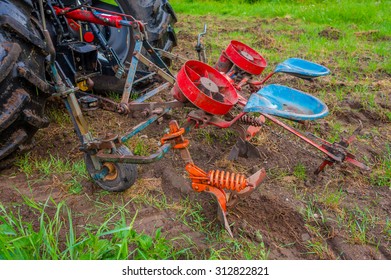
{"points": [[127, 173]]}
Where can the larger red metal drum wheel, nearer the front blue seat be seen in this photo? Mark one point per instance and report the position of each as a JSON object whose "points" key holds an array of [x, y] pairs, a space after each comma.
{"points": [[205, 87]]}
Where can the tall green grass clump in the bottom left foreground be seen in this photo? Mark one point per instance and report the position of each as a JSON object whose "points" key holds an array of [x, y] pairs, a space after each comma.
{"points": [[54, 237]]}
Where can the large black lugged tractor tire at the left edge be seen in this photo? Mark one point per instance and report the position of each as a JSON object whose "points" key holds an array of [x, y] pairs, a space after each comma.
{"points": [[21, 102]]}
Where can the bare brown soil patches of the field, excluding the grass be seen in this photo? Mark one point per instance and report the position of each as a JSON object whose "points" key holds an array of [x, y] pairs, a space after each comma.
{"points": [[276, 214]]}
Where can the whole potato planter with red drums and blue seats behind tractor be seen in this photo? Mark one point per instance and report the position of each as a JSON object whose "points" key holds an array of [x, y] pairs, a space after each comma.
{"points": [[216, 96]]}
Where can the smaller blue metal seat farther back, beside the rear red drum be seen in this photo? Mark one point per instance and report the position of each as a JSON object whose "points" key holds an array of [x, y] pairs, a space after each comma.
{"points": [[302, 68]]}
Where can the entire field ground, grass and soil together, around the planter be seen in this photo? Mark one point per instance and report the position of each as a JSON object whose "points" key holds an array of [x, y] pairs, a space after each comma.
{"points": [[49, 202]]}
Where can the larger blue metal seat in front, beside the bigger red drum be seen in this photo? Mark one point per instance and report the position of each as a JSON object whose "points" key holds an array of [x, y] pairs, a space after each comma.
{"points": [[287, 103]]}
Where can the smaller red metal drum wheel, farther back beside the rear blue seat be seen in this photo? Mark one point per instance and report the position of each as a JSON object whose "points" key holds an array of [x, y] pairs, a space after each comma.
{"points": [[245, 58]]}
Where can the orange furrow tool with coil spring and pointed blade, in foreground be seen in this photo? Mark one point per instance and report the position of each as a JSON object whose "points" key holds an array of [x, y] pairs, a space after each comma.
{"points": [[216, 182]]}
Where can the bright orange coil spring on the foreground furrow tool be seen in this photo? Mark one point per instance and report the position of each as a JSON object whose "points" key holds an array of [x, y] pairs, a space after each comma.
{"points": [[227, 180]]}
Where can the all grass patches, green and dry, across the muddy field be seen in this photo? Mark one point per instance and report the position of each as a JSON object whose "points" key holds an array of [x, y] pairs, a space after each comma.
{"points": [[278, 30]]}
